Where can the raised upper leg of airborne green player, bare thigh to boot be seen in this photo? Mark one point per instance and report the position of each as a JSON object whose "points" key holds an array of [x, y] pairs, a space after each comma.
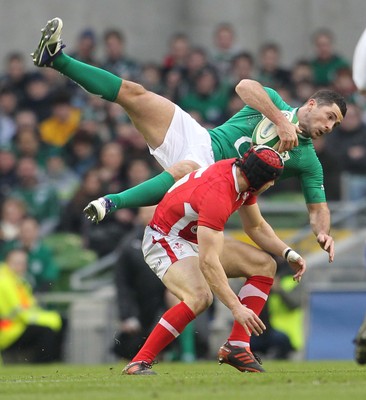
{"points": [[149, 112]]}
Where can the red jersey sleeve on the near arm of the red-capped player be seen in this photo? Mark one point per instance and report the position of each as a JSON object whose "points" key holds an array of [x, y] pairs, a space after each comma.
{"points": [[216, 206]]}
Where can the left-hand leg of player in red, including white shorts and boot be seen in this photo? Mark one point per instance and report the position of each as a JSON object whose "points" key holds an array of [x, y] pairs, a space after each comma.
{"points": [[175, 262]]}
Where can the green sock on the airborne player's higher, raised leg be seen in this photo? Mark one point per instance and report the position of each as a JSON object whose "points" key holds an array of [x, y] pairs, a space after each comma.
{"points": [[94, 80]]}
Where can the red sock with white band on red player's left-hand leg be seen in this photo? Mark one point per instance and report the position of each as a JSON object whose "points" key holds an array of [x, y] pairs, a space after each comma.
{"points": [[171, 325]]}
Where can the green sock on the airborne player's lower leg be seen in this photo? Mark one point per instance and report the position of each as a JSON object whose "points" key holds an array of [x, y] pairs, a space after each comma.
{"points": [[145, 194]]}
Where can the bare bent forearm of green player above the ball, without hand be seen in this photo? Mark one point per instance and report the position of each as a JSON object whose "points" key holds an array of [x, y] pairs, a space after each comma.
{"points": [[253, 94]]}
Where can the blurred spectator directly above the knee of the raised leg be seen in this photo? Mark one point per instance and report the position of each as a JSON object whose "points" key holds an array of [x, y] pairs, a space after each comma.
{"points": [[116, 59]]}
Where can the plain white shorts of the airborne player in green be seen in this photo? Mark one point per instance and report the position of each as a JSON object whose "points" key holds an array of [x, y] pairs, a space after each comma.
{"points": [[186, 139]]}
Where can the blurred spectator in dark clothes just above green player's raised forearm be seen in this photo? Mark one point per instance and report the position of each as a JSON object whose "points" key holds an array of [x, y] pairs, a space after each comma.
{"points": [[270, 71]]}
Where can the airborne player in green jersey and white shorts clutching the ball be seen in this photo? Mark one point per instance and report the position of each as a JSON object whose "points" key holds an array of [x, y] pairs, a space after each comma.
{"points": [[181, 145]]}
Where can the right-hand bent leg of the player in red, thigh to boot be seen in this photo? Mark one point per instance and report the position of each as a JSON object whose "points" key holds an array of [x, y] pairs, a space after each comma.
{"points": [[243, 260]]}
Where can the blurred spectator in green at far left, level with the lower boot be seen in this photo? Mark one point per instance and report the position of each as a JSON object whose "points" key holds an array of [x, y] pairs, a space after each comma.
{"points": [[40, 198]]}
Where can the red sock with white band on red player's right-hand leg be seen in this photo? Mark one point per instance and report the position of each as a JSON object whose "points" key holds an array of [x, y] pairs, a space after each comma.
{"points": [[254, 295]]}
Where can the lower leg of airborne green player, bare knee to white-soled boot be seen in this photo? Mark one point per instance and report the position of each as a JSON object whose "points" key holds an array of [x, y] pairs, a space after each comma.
{"points": [[145, 194]]}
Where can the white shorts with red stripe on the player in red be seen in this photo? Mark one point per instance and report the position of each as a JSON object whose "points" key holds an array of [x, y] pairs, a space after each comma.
{"points": [[161, 251]]}
